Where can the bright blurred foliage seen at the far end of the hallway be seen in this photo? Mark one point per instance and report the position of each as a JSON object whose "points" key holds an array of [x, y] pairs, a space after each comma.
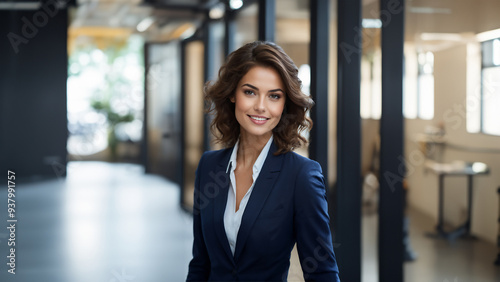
{"points": [[109, 75]]}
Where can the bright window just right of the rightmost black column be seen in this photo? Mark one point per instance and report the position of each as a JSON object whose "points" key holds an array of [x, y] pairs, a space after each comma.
{"points": [[420, 103]]}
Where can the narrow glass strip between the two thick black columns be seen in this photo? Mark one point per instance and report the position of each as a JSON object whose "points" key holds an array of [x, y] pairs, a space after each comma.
{"points": [[370, 112]]}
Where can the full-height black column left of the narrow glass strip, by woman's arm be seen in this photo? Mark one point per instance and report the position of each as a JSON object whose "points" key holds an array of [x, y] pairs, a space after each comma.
{"points": [[348, 192]]}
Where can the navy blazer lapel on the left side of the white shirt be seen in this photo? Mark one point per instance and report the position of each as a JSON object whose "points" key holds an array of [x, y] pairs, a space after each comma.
{"points": [[220, 200]]}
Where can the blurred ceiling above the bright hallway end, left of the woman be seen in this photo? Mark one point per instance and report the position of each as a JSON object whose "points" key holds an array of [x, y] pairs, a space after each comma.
{"points": [[162, 18]]}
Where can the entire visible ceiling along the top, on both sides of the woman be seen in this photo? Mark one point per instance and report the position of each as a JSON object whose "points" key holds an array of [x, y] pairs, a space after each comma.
{"points": [[171, 17]]}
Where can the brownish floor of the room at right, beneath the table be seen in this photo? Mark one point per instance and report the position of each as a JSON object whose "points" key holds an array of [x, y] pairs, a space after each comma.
{"points": [[438, 260]]}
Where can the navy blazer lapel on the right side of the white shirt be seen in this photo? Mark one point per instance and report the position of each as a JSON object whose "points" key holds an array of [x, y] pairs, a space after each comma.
{"points": [[263, 186]]}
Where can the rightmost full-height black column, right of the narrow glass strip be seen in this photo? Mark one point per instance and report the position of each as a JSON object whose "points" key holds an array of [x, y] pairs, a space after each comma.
{"points": [[392, 169]]}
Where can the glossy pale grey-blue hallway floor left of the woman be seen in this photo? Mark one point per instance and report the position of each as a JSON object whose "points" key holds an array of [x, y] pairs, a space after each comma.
{"points": [[104, 222]]}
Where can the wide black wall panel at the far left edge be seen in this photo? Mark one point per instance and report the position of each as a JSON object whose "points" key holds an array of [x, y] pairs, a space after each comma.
{"points": [[33, 75]]}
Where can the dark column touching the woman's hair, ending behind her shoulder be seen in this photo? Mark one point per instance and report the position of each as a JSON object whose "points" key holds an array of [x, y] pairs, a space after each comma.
{"points": [[318, 60]]}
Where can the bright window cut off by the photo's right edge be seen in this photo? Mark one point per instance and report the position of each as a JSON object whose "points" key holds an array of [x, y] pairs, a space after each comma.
{"points": [[490, 87]]}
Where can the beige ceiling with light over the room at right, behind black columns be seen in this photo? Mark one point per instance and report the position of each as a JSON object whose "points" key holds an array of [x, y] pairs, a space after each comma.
{"points": [[439, 24]]}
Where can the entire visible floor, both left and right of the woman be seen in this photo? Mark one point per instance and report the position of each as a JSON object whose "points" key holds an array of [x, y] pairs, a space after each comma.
{"points": [[111, 223]]}
